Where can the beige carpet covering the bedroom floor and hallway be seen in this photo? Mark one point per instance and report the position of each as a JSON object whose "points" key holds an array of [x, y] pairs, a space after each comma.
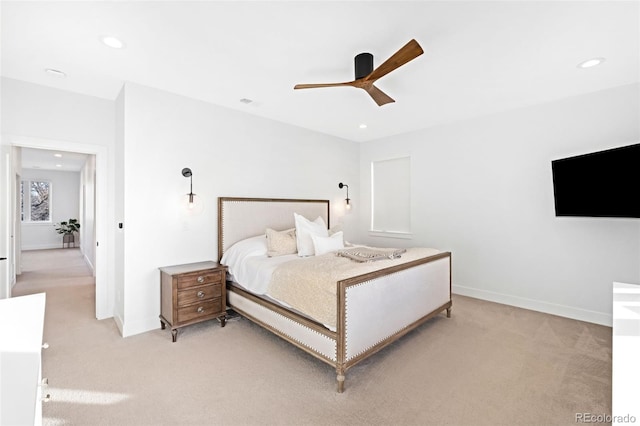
{"points": [[489, 364]]}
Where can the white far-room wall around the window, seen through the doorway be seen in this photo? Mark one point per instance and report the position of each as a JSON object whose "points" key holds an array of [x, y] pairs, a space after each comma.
{"points": [[65, 204]]}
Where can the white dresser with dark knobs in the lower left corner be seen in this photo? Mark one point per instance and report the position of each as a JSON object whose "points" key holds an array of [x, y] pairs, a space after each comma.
{"points": [[21, 329]]}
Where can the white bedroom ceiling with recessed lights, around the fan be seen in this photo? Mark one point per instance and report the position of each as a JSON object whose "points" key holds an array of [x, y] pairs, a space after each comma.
{"points": [[480, 57]]}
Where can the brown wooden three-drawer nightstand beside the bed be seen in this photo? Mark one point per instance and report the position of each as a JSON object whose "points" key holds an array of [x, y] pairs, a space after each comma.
{"points": [[192, 293]]}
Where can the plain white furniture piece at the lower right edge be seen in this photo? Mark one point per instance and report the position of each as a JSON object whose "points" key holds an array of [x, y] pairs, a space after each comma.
{"points": [[626, 354]]}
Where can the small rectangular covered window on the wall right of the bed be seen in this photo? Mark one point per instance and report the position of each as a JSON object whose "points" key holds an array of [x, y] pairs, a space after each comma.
{"points": [[391, 197]]}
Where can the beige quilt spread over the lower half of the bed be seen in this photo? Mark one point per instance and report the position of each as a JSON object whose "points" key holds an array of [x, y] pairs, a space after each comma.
{"points": [[309, 284]]}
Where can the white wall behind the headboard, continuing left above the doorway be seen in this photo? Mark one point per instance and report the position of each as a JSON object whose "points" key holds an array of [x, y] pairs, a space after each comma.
{"points": [[145, 138]]}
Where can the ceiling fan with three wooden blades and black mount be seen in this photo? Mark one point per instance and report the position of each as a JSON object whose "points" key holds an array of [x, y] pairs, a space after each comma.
{"points": [[365, 74]]}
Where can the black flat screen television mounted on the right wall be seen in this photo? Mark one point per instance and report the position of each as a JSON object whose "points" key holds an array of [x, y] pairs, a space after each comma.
{"points": [[599, 184]]}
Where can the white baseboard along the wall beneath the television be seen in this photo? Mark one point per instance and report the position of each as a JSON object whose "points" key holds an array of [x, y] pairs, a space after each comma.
{"points": [[595, 317]]}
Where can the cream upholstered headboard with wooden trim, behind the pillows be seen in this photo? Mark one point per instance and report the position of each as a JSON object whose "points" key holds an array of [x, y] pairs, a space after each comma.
{"points": [[240, 218]]}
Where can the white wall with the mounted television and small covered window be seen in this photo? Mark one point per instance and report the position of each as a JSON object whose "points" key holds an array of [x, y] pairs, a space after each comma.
{"points": [[483, 190]]}
